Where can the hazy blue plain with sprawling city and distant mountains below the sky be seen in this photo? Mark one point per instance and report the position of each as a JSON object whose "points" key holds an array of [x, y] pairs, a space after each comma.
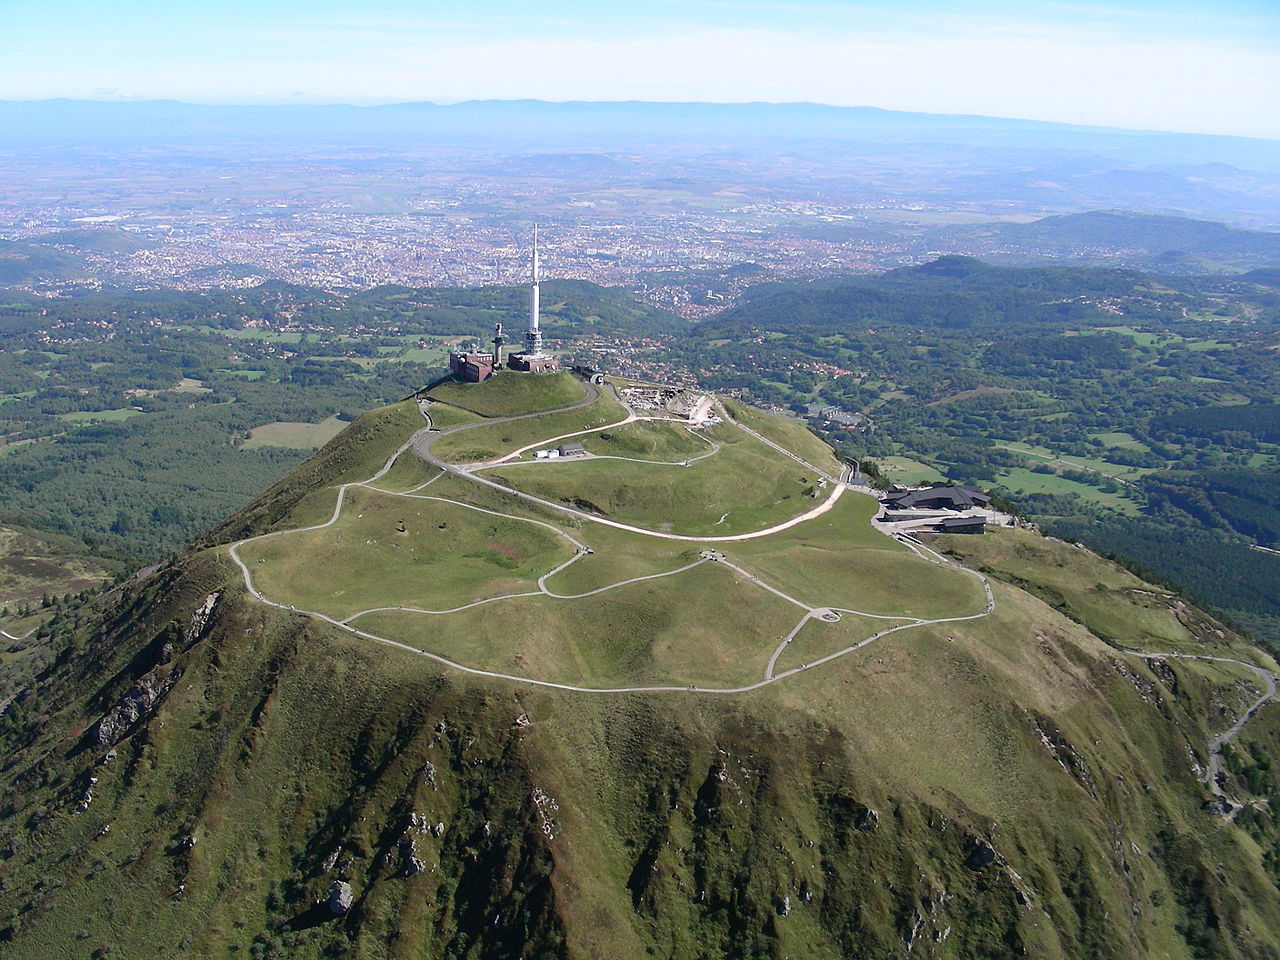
{"points": [[687, 204]]}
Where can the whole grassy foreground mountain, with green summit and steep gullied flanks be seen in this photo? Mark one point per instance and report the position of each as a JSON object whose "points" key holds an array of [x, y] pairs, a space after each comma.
{"points": [[207, 771]]}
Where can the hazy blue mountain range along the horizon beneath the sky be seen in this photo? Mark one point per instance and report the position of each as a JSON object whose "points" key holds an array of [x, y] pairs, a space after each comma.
{"points": [[605, 124]]}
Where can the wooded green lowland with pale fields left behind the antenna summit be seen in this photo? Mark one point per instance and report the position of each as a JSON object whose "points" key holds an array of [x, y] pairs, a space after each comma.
{"points": [[135, 422]]}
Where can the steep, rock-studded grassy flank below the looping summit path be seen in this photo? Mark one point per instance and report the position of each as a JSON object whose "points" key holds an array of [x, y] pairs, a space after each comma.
{"points": [[614, 828]]}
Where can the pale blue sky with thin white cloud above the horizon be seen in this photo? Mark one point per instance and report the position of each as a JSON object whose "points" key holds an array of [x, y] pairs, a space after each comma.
{"points": [[1187, 66]]}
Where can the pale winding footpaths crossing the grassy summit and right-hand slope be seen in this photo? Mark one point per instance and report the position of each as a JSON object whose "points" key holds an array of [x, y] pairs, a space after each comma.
{"points": [[420, 445]]}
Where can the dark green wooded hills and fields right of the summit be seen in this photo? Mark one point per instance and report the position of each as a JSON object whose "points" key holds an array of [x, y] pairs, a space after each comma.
{"points": [[1131, 412]]}
